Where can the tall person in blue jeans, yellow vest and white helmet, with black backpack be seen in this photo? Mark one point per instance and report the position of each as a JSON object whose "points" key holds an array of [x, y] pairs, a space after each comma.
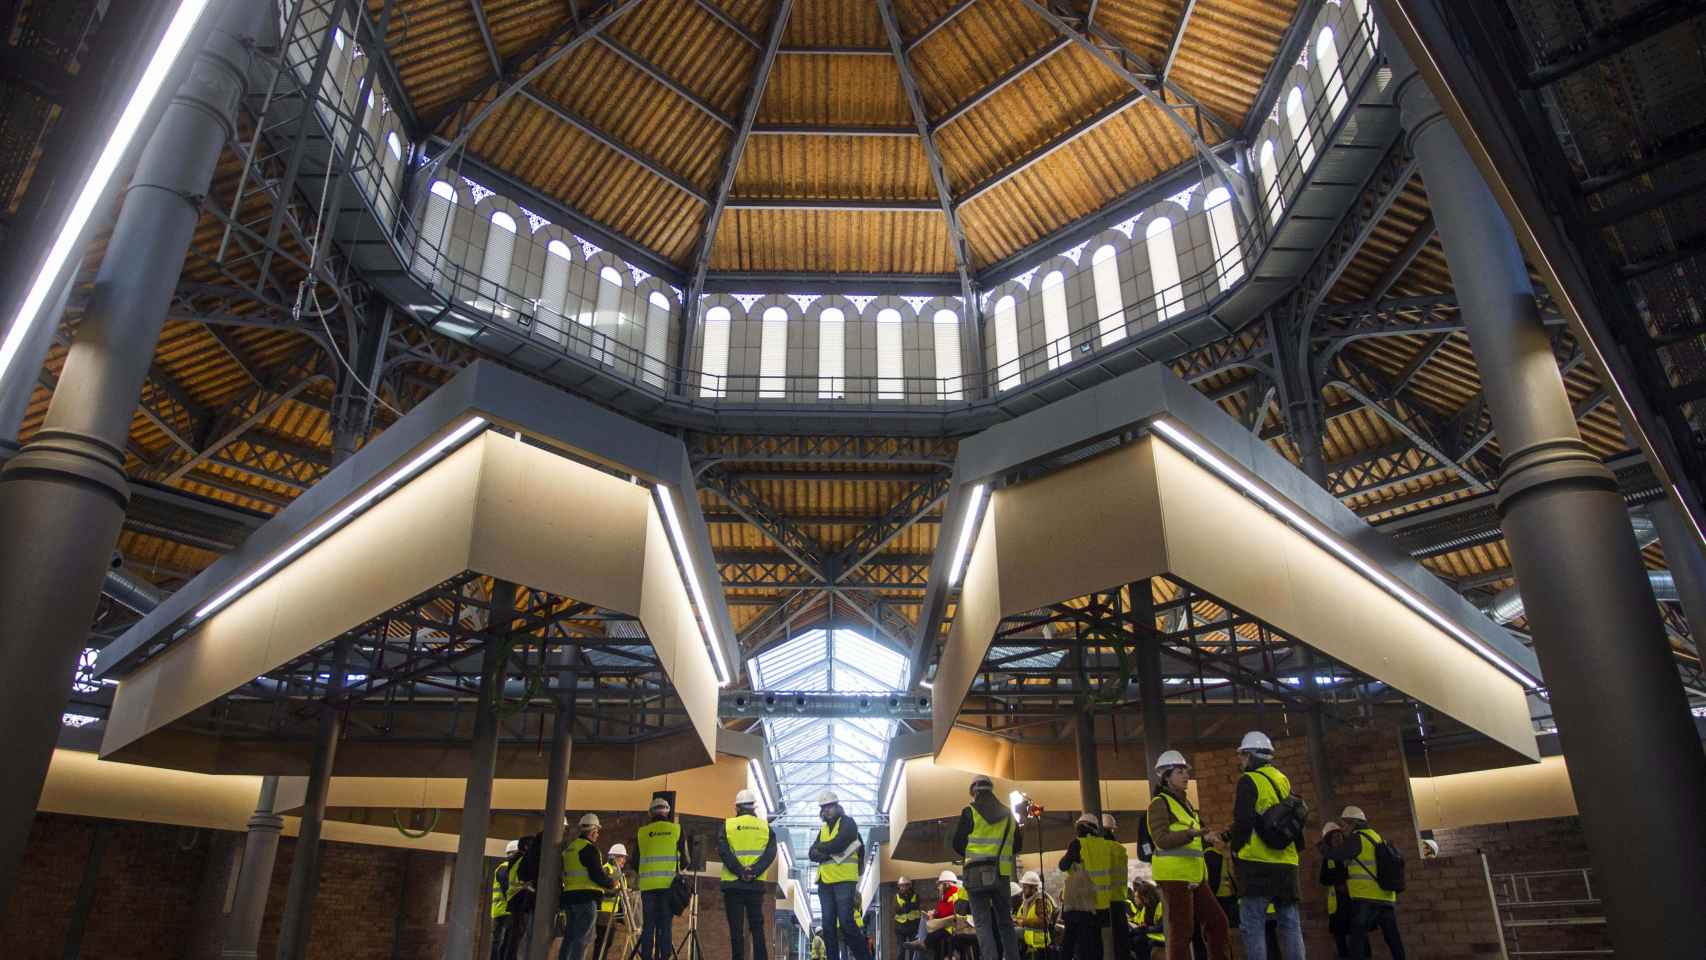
{"points": [[1267, 874]]}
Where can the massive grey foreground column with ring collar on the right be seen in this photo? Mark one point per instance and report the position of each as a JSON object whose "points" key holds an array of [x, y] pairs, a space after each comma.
{"points": [[1596, 627]]}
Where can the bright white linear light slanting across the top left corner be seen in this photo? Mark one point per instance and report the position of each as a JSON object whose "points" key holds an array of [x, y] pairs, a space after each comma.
{"points": [[35, 306]]}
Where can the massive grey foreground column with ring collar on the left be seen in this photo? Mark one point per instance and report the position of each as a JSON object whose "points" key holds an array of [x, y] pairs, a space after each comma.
{"points": [[64, 495]]}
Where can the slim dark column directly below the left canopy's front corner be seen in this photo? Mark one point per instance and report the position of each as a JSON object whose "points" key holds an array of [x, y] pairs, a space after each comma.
{"points": [[468, 879]]}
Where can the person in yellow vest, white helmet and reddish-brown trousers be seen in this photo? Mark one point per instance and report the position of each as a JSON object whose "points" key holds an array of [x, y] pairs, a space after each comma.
{"points": [[1180, 865]]}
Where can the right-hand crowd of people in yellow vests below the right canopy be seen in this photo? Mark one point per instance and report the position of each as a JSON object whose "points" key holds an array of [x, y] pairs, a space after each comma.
{"points": [[1205, 882]]}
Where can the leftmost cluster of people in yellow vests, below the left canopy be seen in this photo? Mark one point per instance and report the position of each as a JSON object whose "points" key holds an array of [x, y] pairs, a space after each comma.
{"points": [[596, 898]]}
